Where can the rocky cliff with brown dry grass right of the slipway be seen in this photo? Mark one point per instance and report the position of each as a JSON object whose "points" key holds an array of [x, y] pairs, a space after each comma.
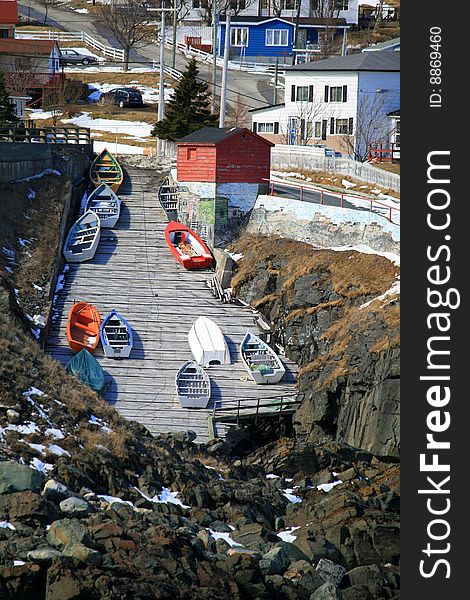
{"points": [[337, 315]]}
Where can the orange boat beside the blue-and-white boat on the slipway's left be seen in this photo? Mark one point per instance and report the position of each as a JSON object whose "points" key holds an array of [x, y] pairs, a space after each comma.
{"points": [[83, 327]]}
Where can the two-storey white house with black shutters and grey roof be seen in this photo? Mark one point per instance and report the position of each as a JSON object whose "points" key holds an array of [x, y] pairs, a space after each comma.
{"points": [[341, 102]]}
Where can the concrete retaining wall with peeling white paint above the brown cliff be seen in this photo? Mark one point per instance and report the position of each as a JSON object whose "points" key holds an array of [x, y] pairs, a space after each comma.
{"points": [[323, 226]]}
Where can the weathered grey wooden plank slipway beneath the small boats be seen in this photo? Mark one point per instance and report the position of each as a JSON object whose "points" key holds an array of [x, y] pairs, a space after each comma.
{"points": [[134, 272]]}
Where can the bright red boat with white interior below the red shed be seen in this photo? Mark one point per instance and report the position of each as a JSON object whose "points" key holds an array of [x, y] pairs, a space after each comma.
{"points": [[187, 247]]}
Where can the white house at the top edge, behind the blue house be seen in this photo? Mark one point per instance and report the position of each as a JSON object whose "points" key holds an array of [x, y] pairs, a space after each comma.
{"points": [[341, 9]]}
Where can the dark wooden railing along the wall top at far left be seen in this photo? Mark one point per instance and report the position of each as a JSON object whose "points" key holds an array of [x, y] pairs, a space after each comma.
{"points": [[46, 135]]}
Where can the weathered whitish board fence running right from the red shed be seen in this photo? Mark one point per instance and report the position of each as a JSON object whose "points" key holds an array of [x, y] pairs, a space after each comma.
{"points": [[308, 159]]}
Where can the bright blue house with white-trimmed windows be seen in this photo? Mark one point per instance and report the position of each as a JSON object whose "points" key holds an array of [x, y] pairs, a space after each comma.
{"points": [[263, 39]]}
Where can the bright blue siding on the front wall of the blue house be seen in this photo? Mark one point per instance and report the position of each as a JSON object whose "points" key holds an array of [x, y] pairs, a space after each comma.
{"points": [[257, 40]]}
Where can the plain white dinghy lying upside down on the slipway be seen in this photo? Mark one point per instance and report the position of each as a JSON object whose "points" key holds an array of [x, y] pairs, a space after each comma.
{"points": [[207, 343]]}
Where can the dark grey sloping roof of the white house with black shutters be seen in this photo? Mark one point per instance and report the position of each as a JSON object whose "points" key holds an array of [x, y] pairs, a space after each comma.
{"points": [[364, 61]]}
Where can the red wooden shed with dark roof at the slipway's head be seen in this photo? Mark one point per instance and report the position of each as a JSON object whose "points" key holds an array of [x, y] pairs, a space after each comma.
{"points": [[227, 155]]}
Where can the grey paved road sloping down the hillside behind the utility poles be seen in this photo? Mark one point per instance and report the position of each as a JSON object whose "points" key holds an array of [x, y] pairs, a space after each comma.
{"points": [[255, 88]]}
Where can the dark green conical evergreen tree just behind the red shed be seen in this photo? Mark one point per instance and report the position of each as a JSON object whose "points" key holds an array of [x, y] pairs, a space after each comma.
{"points": [[188, 109]]}
